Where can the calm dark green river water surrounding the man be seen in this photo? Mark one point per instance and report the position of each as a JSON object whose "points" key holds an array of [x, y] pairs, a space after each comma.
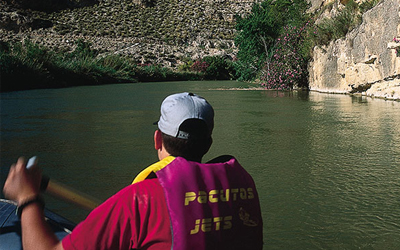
{"points": [[327, 167]]}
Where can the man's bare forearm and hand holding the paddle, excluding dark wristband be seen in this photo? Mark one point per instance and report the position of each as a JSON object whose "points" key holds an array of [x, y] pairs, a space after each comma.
{"points": [[22, 185]]}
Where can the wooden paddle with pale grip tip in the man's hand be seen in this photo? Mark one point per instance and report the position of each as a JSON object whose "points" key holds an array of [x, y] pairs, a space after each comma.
{"points": [[62, 191]]}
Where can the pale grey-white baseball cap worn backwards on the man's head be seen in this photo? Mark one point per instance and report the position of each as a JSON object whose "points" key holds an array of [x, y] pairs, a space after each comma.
{"points": [[178, 108]]}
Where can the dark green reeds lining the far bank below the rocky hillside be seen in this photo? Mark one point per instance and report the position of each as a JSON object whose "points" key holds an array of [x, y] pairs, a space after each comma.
{"points": [[27, 65]]}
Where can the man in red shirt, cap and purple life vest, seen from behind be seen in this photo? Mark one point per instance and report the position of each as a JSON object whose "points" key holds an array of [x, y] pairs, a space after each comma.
{"points": [[177, 203]]}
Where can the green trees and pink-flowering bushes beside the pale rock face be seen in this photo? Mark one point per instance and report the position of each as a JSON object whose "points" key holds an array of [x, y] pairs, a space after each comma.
{"points": [[275, 41]]}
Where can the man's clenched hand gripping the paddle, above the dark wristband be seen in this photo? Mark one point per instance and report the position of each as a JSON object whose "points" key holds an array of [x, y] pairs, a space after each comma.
{"points": [[22, 184]]}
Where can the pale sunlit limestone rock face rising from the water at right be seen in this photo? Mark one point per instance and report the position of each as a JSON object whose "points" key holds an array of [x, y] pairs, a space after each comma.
{"points": [[365, 57]]}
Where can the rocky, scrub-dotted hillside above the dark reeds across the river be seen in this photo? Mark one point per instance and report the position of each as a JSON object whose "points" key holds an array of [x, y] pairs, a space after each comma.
{"points": [[166, 32]]}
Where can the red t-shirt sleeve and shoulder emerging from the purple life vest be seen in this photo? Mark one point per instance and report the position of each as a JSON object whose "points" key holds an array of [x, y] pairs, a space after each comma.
{"points": [[134, 218]]}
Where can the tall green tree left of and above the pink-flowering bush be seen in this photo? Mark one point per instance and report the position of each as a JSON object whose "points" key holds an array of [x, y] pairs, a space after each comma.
{"points": [[257, 32]]}
